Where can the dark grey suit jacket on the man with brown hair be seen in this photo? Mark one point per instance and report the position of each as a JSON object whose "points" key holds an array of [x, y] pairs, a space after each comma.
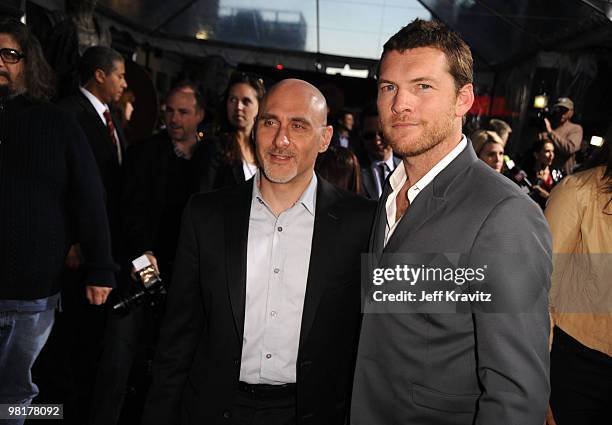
{"points": [[475, 366]]}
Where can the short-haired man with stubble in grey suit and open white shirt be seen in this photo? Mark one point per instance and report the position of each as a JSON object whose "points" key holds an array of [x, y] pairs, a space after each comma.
{"points": [[443, 209]]}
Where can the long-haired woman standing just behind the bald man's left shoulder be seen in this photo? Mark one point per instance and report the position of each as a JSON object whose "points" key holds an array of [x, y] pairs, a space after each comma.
{"points": [[235, 160]]}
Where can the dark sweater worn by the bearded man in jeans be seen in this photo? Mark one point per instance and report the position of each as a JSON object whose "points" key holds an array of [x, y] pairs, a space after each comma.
{"points": [[50, 194]]}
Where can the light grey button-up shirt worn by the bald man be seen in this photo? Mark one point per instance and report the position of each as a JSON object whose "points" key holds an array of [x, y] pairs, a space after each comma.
{"points": [[278, 257]]}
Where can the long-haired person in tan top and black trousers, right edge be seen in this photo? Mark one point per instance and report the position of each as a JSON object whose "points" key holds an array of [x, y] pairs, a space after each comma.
{"points": [[579, 213]]}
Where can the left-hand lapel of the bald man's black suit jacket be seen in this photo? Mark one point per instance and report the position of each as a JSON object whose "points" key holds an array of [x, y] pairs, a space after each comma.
{"points": [[237, 213]]}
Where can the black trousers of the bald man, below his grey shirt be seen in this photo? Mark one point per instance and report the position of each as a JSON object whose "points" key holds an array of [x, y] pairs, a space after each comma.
{"points": [[254, 409]]}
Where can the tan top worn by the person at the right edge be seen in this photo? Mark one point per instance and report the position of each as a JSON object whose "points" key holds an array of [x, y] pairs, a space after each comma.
{"points": [[580, 219]]}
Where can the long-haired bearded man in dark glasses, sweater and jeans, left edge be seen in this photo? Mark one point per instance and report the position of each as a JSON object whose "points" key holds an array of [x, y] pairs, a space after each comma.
{"points": [[49, 192]]}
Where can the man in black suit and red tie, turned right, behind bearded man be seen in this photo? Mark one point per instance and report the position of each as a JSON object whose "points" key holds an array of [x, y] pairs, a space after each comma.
{"points": [[81, 327]]}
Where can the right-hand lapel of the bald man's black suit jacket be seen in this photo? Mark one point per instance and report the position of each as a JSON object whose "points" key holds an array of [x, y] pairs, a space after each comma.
{"points": [[320, 254]]}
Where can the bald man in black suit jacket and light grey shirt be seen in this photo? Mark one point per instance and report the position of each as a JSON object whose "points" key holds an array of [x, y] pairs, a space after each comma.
{"points": [[264, 307]]}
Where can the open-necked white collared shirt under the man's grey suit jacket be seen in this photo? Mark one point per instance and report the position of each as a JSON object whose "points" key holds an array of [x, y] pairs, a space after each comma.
{"points": [[398, 178]]}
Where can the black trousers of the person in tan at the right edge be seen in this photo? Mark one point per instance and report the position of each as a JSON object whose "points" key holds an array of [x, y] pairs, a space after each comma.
{"points": [[581, 383]]}
